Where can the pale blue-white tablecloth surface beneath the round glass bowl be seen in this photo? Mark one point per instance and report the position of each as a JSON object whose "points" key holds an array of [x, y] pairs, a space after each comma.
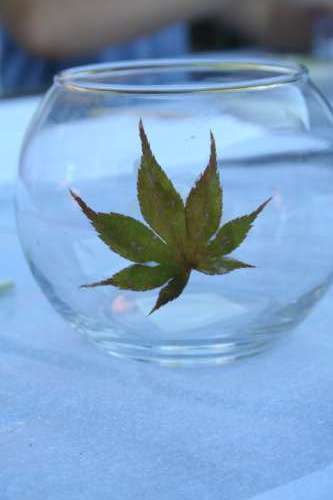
{"points": [[76, 424]]}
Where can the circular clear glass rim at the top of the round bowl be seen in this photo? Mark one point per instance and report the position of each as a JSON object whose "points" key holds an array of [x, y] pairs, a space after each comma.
{"points": [[86, 78]]}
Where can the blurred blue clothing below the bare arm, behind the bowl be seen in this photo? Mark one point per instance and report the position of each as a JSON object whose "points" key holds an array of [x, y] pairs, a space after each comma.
{"points": [[23, 72]]}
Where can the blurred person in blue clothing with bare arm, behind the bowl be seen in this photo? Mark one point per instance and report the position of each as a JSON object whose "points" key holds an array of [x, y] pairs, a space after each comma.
{"points": [[40, 38]]}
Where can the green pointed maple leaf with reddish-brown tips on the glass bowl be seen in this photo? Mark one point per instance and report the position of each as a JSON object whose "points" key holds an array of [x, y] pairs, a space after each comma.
{"points": [[178, 238]]}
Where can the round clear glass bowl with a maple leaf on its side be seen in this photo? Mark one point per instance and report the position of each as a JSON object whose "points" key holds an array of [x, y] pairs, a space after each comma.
{"points": [[273, 133]]}
